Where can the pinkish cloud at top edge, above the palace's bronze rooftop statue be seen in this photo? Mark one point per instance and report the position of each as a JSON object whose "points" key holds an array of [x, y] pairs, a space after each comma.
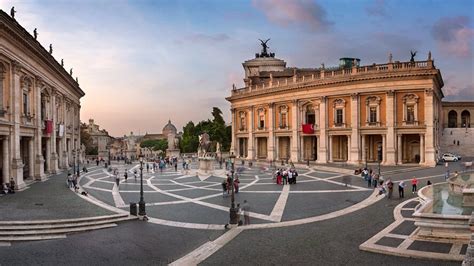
{"points": [[286, 13]]}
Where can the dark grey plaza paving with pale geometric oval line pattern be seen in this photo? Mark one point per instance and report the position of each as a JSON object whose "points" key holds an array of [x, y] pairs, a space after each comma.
{"points": [[318, 220]]}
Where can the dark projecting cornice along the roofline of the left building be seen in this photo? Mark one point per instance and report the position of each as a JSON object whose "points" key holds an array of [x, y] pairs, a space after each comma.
{"points": [[13, 29]]}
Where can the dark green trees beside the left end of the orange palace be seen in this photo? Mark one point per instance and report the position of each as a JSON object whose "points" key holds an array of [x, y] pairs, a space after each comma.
{"points": [[216, 128]]}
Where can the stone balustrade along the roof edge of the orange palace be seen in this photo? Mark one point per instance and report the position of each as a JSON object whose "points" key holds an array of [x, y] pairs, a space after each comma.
{"points": [[322, 74]]}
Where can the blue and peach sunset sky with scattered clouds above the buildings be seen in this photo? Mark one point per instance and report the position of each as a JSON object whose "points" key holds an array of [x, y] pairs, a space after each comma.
{"points": [[141, 63]]}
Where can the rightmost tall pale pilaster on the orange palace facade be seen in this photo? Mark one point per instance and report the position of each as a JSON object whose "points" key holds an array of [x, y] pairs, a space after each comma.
{"points": [[430, 153]]}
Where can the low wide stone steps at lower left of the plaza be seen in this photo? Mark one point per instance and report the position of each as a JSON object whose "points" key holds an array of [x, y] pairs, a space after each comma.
{"points": [[11, 231]]}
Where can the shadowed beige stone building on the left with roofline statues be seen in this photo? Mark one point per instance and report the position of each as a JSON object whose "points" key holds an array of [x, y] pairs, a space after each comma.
{"points": [[39, 108]]}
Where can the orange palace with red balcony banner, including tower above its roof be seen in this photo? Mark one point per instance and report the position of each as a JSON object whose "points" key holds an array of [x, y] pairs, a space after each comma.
{"points": [[350, 113]]}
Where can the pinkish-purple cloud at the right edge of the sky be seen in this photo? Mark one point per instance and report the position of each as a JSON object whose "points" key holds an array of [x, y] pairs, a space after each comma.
{"points": [[454, 36]]}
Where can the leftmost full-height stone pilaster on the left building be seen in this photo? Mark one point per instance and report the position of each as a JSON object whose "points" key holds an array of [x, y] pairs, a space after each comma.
{"points": [[16, 95]]}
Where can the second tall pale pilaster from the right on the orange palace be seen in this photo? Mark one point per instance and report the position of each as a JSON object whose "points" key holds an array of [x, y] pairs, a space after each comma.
{"points": [[390, 118]]}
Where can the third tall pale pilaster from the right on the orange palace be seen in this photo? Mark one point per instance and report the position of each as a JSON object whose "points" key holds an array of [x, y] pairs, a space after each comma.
{"points": [[354, 148]]}
